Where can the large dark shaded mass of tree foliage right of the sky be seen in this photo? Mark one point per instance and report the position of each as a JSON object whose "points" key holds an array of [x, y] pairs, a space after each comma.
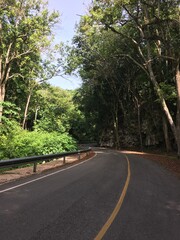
{"points": [[127, 55]]}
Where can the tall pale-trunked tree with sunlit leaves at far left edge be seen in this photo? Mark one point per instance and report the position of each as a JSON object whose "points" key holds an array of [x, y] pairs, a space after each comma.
{"points": [[25, 29]]}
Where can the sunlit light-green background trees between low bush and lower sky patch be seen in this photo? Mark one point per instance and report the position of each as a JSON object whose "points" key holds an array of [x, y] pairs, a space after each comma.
{"points": [[55, 109]]}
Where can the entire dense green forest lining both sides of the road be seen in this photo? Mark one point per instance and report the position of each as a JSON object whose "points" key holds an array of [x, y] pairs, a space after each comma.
{"points": [[127, 54]]}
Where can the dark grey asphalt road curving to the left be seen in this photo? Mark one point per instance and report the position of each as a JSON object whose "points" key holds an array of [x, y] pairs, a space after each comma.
{"points": [[75, 203]]}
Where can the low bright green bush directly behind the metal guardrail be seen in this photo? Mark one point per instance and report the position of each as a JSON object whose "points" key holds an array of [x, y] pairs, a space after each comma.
{"points": [[23, 143]]}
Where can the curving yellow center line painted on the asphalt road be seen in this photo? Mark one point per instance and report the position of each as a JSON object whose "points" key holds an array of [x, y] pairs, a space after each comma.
{"points": [[117, 207]]}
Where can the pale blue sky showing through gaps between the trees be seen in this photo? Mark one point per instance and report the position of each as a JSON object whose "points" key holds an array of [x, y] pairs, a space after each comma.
{"points": [[70, 11]]}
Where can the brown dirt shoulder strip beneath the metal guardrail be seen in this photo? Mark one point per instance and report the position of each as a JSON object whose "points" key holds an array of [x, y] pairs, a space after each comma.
{"points": [[11, 175]]}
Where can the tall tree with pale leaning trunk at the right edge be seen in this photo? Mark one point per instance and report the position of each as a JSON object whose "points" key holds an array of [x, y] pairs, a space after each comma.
{"points": [[152, 30]]}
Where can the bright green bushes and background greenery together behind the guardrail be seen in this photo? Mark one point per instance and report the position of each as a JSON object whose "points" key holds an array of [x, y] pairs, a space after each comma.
{"points": [[51, 129]]}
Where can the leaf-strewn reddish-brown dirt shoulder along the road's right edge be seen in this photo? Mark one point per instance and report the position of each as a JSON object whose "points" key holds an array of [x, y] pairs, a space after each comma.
{"points": [[170, 162]]}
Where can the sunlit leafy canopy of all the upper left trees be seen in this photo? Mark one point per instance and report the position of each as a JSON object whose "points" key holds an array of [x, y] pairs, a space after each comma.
{"points": [[25, 33]]}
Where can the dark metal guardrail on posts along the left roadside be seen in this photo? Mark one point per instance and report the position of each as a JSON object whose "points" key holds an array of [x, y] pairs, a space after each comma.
{"points": [[35, 159]]}
